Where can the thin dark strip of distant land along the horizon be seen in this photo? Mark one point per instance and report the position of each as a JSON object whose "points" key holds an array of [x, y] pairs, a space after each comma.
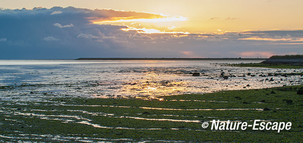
{"points": [[171, 59]]}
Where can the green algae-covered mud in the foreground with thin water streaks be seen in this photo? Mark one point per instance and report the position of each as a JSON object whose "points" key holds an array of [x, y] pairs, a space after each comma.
{"points": [[173, 119]]}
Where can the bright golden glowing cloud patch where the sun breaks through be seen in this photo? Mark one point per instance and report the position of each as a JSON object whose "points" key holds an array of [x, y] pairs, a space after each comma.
{"points": [[138, 21]]}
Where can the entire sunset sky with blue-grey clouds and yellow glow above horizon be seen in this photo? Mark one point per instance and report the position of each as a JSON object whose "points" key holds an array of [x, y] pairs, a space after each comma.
{"points": [[67, 29]]}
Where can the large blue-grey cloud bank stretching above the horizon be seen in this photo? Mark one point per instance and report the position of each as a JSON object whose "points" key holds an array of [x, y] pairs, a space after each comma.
{"points": [[67, 33]]}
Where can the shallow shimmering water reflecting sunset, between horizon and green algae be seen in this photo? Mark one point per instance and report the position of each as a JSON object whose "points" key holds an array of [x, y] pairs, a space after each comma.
{"points": [[140, 79]]}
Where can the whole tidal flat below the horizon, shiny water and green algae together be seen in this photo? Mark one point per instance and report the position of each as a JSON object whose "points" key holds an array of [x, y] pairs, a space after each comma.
{"points": [[144, 101]]}
